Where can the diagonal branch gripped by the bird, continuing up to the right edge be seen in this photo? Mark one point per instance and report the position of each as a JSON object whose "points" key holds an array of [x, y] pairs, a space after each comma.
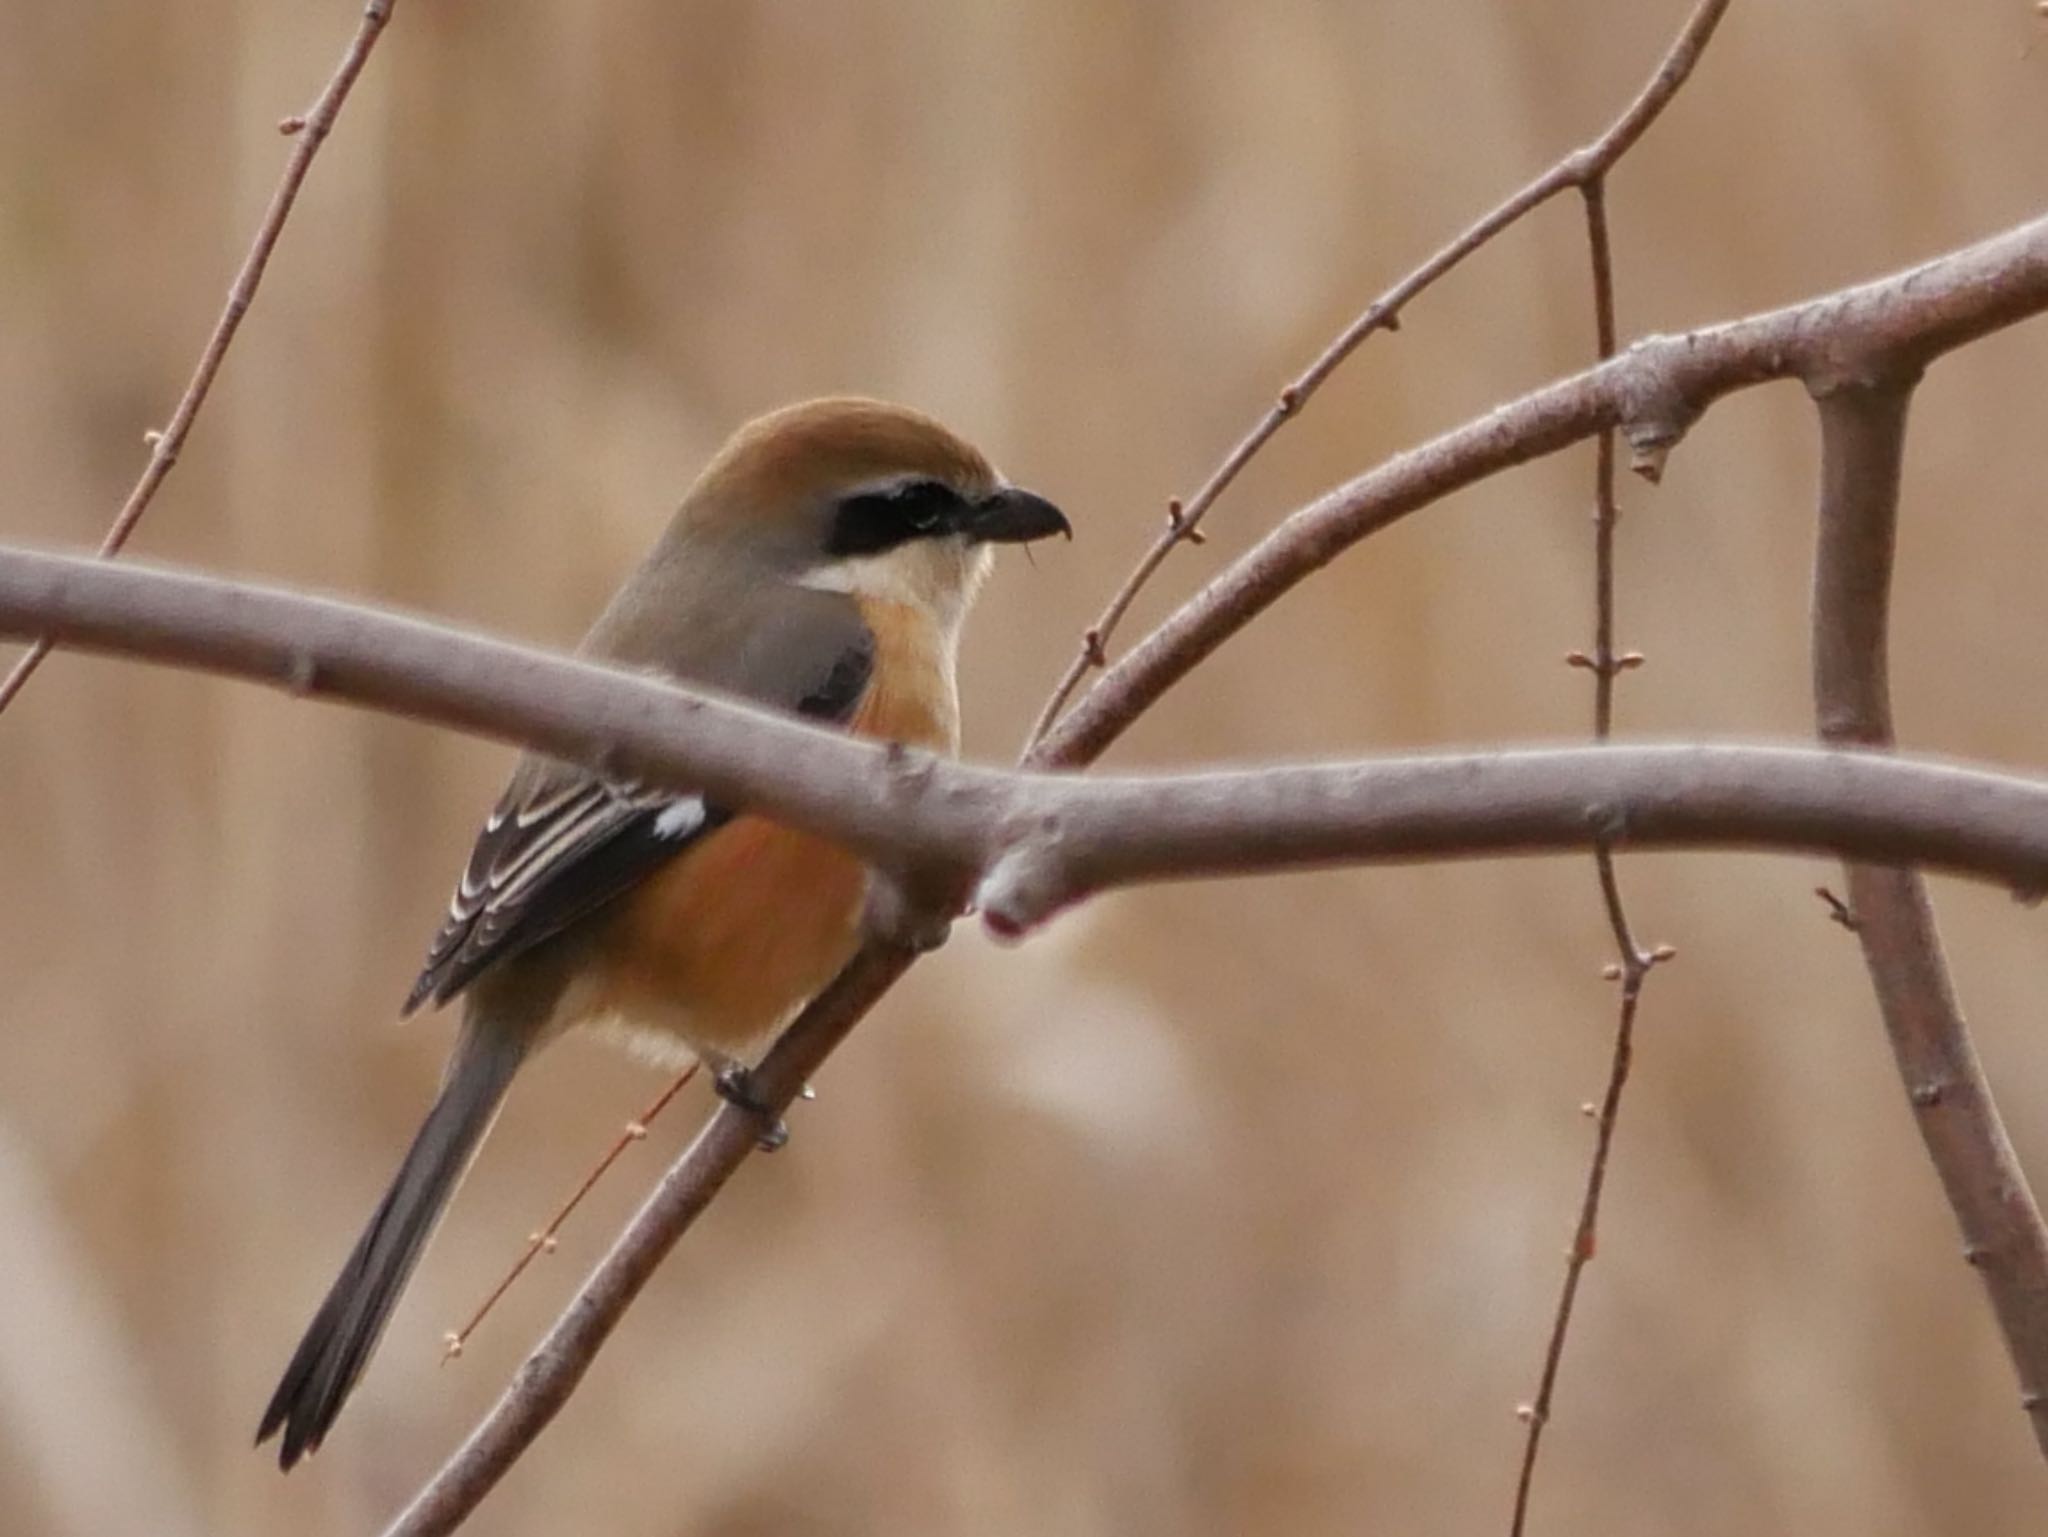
{"points": [[1920, 313]]}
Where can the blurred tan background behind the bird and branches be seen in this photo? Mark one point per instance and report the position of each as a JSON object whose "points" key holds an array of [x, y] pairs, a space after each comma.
{"points": [[1215, 1210]]}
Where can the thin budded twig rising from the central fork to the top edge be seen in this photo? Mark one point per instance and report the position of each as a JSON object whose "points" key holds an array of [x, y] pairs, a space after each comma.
{"points": [[1582, 169]]}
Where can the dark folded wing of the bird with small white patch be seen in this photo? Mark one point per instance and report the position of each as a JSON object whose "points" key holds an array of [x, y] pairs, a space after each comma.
{"points": [[562, 843]]}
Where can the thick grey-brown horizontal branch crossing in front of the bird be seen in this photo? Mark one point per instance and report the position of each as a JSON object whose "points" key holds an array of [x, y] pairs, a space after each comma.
{"points": [[1033, 843]]}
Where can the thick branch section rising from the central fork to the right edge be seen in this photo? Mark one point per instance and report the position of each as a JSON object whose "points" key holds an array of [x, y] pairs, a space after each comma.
{"points": [[1652, 392]]}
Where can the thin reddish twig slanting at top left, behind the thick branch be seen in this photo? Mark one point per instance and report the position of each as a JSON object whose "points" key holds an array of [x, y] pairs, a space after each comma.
{"points": [[165, 446]]}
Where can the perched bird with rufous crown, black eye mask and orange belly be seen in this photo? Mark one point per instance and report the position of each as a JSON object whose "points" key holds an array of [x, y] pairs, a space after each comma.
{"points": [[820, 565]]}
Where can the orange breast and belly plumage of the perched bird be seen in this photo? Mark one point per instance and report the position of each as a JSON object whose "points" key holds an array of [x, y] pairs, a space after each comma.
{"points": [[728, 940]]}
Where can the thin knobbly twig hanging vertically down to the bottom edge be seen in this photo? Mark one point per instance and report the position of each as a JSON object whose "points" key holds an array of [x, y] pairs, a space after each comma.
{"points": [[1635, 964]]}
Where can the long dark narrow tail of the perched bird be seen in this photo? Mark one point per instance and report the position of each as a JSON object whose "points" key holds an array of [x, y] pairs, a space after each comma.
{"points": [[351, 1321]]}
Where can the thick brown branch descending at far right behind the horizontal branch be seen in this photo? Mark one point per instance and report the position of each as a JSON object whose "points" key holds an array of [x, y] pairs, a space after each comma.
{"points": [[1863, 446]]}
